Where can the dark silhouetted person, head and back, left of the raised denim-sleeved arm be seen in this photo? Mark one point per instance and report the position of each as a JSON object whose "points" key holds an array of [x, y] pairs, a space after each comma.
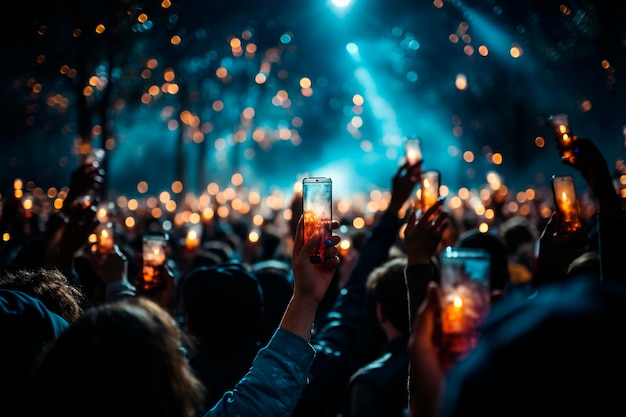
{"points": [[222, 311]]}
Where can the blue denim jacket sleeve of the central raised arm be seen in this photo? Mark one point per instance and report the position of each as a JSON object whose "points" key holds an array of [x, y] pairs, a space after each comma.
{"points": [[274, 383]]}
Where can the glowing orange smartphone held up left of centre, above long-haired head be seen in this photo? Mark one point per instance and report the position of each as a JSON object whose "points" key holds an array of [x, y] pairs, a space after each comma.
{"points": [[154, 250]]}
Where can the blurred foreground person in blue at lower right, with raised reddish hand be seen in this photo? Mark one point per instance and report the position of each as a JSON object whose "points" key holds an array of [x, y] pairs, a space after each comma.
{"points": [[563, 341]]}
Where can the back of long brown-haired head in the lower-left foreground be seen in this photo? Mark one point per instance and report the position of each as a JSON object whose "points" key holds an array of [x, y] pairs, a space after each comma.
{"points": [[120, 359]]}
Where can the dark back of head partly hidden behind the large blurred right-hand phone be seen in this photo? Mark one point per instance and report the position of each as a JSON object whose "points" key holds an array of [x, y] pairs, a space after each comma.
{"points": [[499, 271]]}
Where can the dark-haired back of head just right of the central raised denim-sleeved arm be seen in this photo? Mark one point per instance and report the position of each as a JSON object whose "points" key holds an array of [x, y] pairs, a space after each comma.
{"points": [[388, 287]]}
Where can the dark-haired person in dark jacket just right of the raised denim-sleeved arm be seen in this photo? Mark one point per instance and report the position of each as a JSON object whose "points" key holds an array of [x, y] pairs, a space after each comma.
{"points": [[380, 386]]}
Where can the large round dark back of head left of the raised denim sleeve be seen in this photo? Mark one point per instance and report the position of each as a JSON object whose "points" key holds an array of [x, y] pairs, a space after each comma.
{"points": [[223, 306]]}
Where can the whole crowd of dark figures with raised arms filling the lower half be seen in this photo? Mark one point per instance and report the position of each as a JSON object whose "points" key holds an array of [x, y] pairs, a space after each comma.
{"points": [[223, 330]]}
